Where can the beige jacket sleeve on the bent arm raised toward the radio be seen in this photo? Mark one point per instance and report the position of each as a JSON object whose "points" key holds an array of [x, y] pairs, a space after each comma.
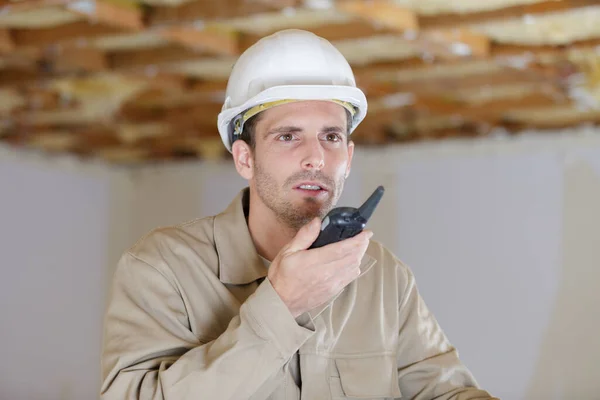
{"points": [[149, 351]]}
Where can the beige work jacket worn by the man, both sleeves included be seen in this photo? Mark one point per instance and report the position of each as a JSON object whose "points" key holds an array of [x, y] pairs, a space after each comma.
{"points": [[192, 316]]}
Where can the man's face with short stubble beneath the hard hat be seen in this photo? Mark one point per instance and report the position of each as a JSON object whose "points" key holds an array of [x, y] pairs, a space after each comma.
{"points": [[301, 160]]}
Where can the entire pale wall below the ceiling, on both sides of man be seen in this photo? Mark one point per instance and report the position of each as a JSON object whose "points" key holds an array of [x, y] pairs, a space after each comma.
{"points": [[502, 236]]}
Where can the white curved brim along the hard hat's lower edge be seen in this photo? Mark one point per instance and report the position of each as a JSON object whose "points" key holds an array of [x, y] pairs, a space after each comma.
{"points": [[349, 94]]}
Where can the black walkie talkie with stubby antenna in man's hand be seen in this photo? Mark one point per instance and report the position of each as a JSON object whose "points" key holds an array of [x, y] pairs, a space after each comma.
{"points": [[345, 222]]}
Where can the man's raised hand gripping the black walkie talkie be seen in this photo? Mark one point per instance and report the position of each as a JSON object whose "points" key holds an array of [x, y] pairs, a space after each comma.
{"points": [[305, 279]]}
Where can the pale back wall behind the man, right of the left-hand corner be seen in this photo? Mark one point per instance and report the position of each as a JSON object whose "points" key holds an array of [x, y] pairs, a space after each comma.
{"points": [[502, 236]]}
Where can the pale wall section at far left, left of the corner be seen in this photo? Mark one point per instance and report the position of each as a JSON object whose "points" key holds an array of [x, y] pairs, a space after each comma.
{"points": [[54, 242]]}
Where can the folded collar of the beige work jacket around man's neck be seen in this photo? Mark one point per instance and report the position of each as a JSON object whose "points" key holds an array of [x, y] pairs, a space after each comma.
{"points": [[239, 263]]}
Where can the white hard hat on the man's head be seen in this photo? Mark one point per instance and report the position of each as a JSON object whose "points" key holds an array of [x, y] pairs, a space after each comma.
{"points": [[290, 65]]}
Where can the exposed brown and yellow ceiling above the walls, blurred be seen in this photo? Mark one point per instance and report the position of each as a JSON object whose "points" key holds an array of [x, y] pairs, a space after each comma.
{"points": [[138, 81]]}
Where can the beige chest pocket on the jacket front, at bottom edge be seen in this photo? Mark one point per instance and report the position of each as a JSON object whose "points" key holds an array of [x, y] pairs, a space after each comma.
{"points": [[373, 377]]}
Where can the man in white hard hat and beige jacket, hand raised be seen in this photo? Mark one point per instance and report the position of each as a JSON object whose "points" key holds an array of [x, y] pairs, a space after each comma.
{"points": [[235, 306]]}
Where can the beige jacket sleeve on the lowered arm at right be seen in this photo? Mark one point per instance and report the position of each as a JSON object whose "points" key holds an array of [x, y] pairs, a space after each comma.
{"points": [[428, 365]]}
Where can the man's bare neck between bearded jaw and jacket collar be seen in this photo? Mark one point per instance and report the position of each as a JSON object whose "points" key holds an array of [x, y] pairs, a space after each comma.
{"points": [[268, 233]]}
